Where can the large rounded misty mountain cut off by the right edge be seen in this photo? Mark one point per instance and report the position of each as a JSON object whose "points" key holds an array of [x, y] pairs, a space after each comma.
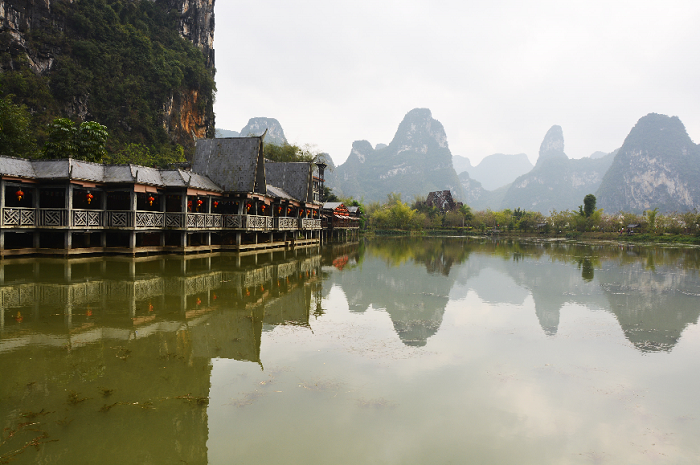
{"points": [[657, 166]]}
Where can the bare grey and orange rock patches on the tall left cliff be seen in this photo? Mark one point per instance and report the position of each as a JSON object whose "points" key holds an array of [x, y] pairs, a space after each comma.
{"points": [[186, 115]]}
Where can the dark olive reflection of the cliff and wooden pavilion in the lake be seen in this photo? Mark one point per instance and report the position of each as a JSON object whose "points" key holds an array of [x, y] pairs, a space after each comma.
{"points": [[131, 341]]}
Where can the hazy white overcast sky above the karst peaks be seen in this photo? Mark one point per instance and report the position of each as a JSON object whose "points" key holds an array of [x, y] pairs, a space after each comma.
{"points": [[496, 74]]}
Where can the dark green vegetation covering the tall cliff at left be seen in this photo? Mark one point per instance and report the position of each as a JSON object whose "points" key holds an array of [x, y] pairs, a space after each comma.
{"points": [[118, 62]]}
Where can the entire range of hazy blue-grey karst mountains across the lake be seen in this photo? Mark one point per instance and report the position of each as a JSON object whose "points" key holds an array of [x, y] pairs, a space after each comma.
{"points": [[658, 165]]}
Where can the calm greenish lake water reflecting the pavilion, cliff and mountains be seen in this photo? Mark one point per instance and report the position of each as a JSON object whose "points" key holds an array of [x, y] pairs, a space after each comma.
{"points": [[394, 351]]}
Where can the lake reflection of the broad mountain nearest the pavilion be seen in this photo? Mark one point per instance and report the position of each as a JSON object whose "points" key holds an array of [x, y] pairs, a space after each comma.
{"points": [[409, 278]]}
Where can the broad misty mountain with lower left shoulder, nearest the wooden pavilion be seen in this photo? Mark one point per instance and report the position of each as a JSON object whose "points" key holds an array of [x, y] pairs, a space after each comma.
{"points": [[416, 162]]}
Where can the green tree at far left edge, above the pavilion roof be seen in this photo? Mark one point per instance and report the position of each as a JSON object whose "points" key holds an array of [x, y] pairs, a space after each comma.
{"points": [[16, 138]]}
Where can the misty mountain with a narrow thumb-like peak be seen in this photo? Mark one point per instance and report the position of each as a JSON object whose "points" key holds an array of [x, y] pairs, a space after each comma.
{"points": [[556, 182]]}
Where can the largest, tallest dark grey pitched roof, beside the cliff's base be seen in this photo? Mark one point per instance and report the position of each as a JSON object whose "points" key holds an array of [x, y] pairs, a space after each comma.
{"points": [[236, 163]]}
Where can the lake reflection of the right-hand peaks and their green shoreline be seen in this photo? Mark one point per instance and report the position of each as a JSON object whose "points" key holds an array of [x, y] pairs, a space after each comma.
{"points": [[652, 292]]}
